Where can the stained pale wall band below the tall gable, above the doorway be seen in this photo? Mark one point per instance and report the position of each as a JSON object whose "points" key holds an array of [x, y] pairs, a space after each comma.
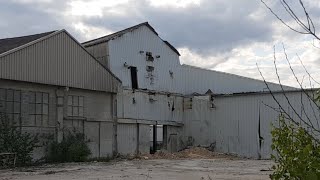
{"points": [[138, 105]]}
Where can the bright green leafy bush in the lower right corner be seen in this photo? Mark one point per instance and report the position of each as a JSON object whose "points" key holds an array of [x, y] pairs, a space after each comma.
{"points": [[298, 154]]}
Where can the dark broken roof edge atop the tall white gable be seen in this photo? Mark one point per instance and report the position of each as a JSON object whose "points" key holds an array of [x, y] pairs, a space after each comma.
{"points": [[119, 33]]}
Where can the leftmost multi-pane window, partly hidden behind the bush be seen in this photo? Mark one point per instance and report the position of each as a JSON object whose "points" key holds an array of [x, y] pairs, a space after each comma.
{"points": [[10, 104]]}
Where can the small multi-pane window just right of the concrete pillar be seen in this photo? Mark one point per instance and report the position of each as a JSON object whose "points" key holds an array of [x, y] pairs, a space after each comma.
{"points": [[75, 106]]}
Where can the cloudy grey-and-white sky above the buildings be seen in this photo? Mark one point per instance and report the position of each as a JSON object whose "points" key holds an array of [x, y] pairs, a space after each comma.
{"points": [[230, 36]]}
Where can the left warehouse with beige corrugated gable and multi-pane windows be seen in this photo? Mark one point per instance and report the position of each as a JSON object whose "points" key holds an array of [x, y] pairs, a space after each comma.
{"points": [[49, 83]]}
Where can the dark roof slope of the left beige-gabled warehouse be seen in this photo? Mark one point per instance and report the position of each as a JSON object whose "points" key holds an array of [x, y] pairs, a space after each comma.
{"points": [[11, 43]]}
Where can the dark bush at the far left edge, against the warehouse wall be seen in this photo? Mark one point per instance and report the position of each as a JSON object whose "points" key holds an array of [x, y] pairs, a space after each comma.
{"points": [[12, 140]]}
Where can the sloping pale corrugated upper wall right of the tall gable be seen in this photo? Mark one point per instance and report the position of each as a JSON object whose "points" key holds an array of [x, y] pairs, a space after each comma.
{"points": [[200, 80]]}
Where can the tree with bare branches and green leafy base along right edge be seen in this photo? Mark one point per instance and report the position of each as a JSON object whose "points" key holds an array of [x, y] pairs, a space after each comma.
{"points": [[296, 138]]}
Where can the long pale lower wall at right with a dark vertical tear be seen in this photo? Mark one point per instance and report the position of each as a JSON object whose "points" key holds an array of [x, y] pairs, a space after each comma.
{"points": [[234, 124]]}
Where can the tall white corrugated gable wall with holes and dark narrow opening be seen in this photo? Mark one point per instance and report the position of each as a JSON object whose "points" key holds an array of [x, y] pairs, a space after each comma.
{"points": [[126, 49]]}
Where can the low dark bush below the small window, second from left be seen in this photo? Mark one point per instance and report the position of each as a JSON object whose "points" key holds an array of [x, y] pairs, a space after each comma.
{"points": [[73, 148]]}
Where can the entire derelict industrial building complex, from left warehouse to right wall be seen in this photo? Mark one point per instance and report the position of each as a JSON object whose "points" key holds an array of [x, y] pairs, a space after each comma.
{"points": [[122, 89]]}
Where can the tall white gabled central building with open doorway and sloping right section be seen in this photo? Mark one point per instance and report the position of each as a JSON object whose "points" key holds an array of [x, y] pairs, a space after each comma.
{"points": [[157, 90]]}
